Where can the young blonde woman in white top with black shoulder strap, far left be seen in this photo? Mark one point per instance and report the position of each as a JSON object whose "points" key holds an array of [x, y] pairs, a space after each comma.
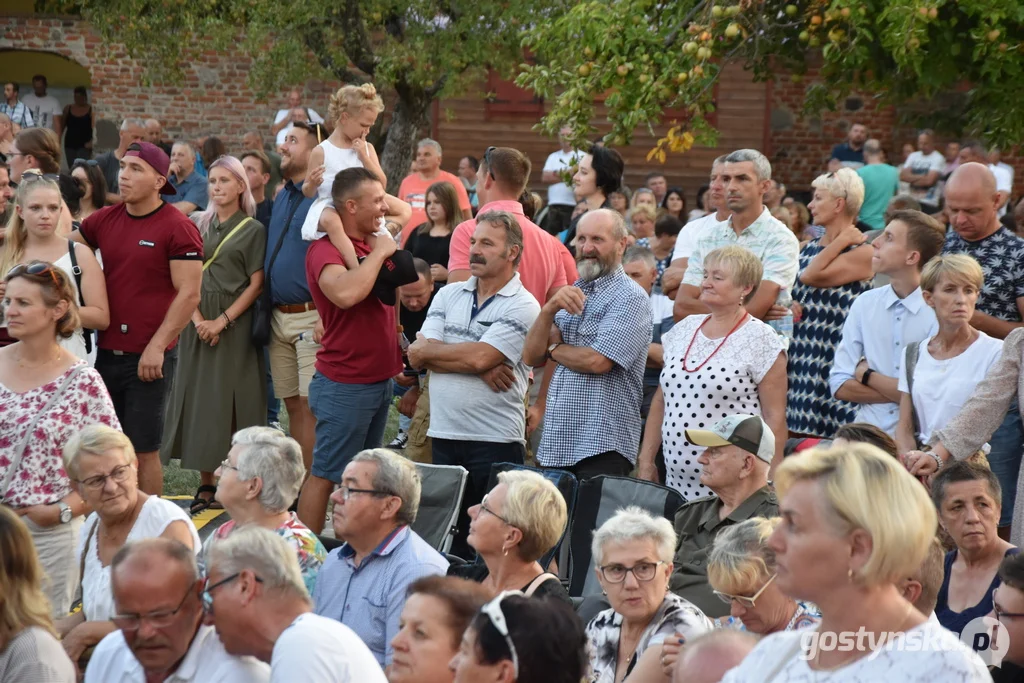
{"points": [[32, 236]]}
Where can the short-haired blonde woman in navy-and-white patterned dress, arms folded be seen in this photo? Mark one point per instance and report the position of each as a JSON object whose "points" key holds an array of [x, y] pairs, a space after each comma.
{"points": [[834, 271]]}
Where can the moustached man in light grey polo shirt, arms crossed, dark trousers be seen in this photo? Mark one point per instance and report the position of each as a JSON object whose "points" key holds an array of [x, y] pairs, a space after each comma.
{"points": [[473, 339]]}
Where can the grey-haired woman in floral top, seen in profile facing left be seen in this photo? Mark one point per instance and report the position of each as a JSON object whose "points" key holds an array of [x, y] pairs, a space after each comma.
{"points": [[260, 481]]}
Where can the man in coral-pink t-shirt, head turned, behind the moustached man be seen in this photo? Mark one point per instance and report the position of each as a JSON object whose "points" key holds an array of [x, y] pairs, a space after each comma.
{"points": [[547, 265]]}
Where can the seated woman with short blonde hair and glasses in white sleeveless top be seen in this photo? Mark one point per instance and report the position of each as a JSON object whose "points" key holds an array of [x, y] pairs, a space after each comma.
{"points": [[102, 463]]}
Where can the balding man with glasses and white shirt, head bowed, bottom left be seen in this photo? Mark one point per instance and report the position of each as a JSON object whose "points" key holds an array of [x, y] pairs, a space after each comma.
{"points": [[159, 615]]}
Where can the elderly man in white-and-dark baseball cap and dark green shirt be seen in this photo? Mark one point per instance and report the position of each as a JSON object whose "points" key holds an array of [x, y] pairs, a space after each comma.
{"points": [[739, 450]]}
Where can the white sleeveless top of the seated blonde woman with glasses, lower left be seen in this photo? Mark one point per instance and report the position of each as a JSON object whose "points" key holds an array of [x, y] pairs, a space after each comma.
{"points": [[156, 516]]}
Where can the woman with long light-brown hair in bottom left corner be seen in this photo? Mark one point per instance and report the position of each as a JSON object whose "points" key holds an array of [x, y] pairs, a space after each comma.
{"points": [[29, 649]]}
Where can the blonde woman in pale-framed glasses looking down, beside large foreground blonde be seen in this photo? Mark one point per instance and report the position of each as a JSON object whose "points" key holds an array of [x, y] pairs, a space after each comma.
{"points": [[742, 571]]}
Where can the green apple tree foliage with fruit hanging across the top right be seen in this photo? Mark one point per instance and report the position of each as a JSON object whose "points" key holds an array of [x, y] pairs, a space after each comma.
{"points": [[649, 56]]}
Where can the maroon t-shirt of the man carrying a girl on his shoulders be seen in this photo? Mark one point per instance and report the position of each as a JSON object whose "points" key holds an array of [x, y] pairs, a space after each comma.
{"points": [[361, 345]]}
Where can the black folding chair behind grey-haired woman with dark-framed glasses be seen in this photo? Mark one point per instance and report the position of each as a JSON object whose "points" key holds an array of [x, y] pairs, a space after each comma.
{"points": [[598, 501]]}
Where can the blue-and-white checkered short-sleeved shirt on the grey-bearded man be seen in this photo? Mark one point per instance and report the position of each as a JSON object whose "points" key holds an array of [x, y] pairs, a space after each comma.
{"points": [[588, 415]]}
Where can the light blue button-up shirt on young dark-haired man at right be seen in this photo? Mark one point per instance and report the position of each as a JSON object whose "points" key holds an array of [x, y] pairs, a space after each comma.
{"points": [[878, 328]]}
